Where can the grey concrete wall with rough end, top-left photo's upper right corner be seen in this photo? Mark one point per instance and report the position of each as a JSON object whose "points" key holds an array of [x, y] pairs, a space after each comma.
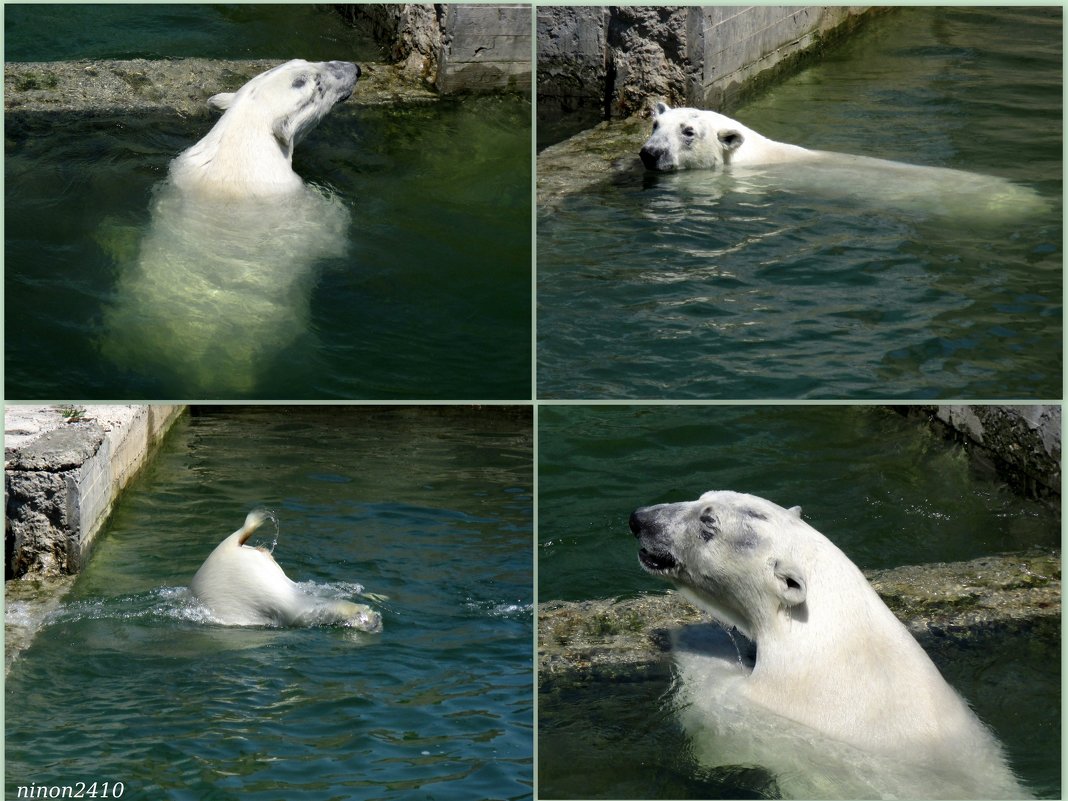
{"points": [[458, 48]]}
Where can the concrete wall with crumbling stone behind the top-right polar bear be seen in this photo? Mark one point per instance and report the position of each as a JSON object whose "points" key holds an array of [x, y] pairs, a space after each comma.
{"points": [[607, 62]]}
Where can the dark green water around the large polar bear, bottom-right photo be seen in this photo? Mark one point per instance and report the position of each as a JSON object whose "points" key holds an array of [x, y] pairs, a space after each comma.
{"points": [[882, 486]]}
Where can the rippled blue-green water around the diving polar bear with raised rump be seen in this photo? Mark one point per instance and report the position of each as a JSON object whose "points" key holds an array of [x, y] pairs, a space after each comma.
{"points": [[431, 509]]}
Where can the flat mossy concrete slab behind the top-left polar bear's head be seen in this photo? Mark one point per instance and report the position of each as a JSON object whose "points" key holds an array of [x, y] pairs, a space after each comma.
{"points": [[181, 86]]}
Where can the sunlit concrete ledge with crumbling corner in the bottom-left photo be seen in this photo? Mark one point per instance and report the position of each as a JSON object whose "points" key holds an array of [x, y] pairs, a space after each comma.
{"points": [[65, 467]]}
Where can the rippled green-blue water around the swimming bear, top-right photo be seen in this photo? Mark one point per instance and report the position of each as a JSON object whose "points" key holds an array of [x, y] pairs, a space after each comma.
{"points": [[688, 287]]}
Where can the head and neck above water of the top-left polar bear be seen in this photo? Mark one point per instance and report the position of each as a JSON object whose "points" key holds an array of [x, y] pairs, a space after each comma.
{"points": [[249, 152]]}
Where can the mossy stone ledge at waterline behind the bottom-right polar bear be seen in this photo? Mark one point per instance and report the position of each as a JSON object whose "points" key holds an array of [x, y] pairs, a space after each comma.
{"points": [[943, 605]]}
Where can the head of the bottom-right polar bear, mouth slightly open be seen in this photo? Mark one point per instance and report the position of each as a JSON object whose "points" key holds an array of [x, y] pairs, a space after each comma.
{"points": [[743, 559]]}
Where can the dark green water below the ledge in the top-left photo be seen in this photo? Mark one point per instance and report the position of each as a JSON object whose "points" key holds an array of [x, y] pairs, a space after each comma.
{"points": [[430, 300]]}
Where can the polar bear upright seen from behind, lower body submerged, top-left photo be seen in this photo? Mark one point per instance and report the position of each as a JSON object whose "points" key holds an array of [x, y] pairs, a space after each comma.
{"points": [[222, 282]]}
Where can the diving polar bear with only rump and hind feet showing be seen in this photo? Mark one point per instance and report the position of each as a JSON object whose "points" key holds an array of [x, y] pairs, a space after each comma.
{"points": [[242, 586]]}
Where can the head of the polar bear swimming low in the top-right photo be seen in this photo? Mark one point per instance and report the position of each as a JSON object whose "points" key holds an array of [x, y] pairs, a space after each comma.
{"points": [[687, 139]]}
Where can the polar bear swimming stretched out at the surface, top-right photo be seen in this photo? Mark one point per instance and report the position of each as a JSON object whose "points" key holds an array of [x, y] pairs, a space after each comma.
{"points": [[695, 139]]}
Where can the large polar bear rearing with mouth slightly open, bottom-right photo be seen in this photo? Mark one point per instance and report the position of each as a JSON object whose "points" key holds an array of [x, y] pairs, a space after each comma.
{"points": [[841, 701]]}
